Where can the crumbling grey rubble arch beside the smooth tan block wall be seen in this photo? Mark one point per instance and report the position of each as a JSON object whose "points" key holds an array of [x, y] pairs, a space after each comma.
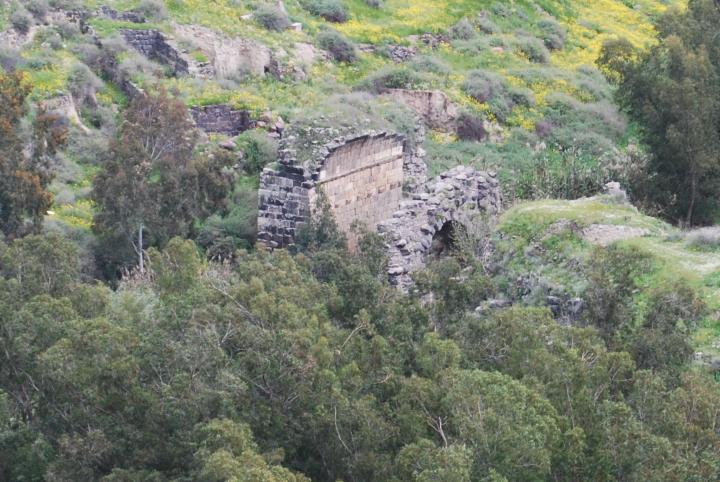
{"points": [[455, 196]]}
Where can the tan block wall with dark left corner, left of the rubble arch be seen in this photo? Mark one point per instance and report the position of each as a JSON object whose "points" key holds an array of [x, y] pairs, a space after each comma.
{"points": [[361, 176]]}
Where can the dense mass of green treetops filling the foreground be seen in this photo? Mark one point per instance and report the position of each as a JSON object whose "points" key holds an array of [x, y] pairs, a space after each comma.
{"points": [[289, 368]]}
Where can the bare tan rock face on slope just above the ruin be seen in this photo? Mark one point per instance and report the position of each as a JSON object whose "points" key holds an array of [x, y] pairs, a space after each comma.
{"points": [[432, 106]]}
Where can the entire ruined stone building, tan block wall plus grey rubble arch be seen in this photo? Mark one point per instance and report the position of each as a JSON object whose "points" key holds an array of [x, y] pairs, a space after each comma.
{"points": [[373, 178]]}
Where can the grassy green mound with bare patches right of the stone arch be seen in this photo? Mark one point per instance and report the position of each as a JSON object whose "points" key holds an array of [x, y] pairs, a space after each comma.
{"points": [[557, 236]]}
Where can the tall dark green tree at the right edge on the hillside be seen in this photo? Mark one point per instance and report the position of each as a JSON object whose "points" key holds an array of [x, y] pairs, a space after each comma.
{"points": [[672, 90]]}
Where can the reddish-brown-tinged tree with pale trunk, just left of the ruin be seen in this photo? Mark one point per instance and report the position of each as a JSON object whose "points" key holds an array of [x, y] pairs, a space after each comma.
{"points": [[153, 186]]}
